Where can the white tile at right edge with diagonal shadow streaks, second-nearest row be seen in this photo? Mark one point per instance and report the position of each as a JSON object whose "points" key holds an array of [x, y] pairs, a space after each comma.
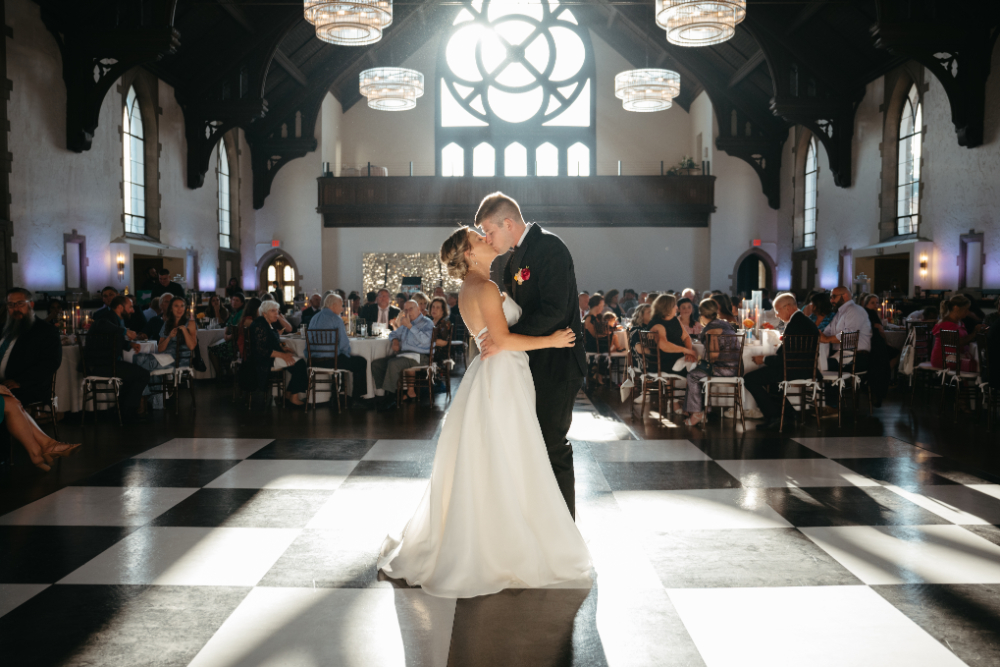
{"points": [[911, 554]]}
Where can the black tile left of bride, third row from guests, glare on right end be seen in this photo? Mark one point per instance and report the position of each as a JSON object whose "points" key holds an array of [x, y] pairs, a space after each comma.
{"points": [[246, 508]]}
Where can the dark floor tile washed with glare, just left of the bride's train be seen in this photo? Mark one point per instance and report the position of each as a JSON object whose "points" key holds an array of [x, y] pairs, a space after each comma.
{"points": [[317, 558]]}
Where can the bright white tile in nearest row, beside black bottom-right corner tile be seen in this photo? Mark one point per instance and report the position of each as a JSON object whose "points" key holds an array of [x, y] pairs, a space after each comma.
{"points": [[817, 626]]}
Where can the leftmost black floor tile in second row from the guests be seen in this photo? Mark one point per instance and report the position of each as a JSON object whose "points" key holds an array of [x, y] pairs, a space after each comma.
{"points": [[185, 473]]}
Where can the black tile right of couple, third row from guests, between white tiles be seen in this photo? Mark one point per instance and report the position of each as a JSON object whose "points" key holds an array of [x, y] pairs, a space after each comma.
{"points": [[848, 506]]}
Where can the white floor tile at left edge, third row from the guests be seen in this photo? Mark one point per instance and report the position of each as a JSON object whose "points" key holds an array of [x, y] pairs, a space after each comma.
{"points": [[97, 506]]}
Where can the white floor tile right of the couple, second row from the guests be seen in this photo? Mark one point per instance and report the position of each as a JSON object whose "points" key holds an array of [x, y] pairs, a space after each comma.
{"points": [[780, 473]]}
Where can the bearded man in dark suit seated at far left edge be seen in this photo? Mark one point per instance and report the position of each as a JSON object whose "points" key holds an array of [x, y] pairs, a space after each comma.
{"points": [[30, 350]]}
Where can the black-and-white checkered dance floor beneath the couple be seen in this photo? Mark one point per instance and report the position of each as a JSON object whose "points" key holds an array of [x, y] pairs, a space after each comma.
{"points": [[776, 551]]}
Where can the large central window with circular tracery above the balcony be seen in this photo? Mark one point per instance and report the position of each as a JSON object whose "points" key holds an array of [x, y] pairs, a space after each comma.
{"points": [[516, 84]]}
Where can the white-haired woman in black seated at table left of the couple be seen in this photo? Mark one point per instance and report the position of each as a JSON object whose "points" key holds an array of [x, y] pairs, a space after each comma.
{"points": [[263, 346]]}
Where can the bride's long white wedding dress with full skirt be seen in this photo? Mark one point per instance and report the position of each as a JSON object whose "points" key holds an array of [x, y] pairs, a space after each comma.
{"points": [[492, 516]]}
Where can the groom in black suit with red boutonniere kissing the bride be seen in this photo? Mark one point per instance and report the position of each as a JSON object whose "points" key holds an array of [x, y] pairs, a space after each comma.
{"points": [[539, 276]]}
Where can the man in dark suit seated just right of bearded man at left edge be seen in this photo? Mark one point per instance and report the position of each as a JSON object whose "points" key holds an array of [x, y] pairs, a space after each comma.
{"points": [[98, 359]]}
